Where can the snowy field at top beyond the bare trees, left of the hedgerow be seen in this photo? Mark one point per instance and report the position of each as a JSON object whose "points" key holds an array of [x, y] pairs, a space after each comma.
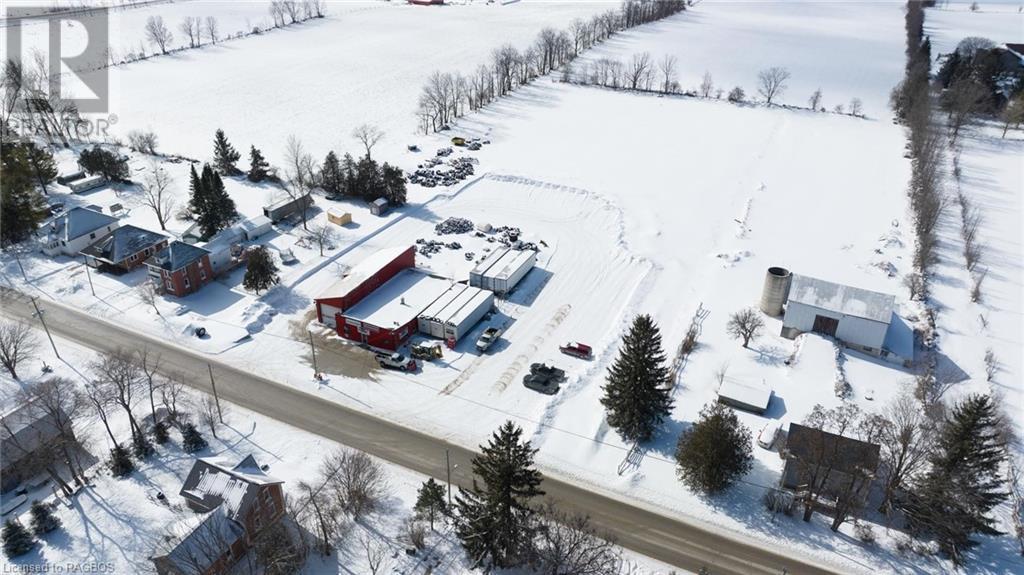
{"points": [[844, 49]]}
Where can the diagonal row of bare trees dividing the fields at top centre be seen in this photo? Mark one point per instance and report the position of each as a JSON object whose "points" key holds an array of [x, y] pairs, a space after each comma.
{"points": [[449, 96]]}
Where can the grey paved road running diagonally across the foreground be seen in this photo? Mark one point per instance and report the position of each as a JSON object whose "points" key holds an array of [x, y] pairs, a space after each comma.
{"points": [[645, 532]]}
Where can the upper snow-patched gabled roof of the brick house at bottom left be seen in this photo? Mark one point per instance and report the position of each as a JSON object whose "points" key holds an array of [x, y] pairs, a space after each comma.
{"points": [[214, 482]]}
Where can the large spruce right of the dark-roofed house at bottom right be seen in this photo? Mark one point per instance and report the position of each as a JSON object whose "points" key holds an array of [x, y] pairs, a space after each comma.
{"points": [[953, 502]]}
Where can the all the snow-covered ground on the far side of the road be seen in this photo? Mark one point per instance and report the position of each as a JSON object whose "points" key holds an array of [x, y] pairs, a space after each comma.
{"points": [[647, 205]]}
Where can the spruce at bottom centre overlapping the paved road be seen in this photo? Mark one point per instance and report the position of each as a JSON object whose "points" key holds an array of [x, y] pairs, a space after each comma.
{"points": [[496, 524]]}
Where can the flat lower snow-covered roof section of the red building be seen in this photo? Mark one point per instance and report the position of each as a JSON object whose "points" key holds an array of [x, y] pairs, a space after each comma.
{"points": [[400, 300]]}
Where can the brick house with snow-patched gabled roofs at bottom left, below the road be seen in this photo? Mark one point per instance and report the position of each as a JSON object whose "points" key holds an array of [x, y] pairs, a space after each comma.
{"points": [[238, 504]]}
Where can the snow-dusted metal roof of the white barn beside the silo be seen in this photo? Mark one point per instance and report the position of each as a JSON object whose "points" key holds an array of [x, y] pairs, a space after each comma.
{"points": [[842, 299]]}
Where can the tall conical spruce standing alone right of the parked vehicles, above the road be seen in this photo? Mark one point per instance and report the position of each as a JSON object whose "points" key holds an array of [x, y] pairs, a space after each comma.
{"points": [[637, 394]]}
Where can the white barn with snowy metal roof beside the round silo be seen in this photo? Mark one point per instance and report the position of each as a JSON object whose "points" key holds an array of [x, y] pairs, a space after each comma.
{"points": [[862, 320]]}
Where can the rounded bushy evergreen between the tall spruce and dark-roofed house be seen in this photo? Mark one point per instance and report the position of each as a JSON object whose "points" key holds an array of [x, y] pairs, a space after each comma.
{"points": [[715, 452]]}
